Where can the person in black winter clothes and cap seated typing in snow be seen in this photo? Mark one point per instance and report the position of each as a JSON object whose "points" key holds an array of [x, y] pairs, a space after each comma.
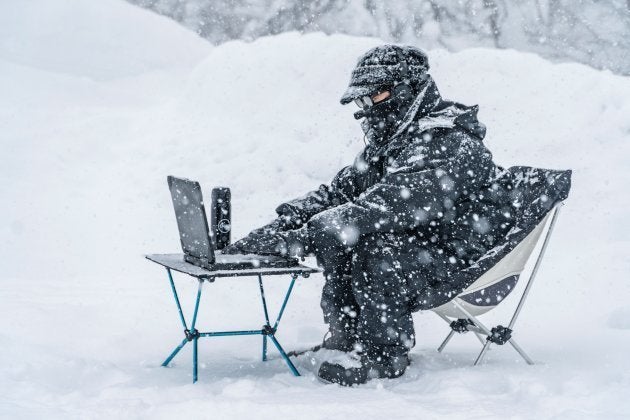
{"points": [[391, 228]]}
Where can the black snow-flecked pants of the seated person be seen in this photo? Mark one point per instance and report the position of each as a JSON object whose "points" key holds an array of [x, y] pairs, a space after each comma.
{"points": [[373, 287]]}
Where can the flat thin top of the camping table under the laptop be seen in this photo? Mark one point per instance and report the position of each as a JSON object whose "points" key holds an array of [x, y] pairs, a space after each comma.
{"points": [[176, 262]]}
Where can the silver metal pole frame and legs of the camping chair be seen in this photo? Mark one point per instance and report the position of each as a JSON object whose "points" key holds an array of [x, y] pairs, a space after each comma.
{"points": [[498, 335]]}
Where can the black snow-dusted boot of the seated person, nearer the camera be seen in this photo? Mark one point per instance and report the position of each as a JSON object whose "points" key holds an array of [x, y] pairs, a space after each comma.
{"points": [[370, 367]]}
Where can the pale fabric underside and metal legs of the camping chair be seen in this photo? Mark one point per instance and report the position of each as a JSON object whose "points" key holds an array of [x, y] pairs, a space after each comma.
{"points": [[492, 287]]}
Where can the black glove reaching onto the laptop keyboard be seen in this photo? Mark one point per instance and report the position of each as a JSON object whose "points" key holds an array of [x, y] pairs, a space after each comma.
{"points": [[293, 243]]}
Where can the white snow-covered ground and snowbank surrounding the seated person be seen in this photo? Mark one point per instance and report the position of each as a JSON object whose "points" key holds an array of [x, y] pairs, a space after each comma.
{"points": [[99, 101]]}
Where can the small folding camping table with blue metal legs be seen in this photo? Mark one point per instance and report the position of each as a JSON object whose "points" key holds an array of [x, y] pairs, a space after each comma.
{"points": [[176, 262]]}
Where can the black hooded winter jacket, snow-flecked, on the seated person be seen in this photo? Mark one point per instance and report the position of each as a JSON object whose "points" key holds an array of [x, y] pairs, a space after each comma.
{"points": [[417, 183]]}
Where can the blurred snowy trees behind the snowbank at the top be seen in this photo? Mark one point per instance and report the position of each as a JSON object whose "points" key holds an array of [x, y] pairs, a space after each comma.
{"points": [[594, 32]]}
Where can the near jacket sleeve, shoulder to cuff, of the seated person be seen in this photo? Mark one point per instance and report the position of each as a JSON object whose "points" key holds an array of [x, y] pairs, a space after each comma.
{"points": [[417, 189]]}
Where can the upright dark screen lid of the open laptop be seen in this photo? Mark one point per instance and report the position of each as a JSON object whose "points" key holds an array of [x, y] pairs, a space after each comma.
{"points": [[191, 218]]}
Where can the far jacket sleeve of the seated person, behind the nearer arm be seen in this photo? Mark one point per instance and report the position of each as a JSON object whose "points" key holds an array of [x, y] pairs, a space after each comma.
{"points": [[341, 190]]}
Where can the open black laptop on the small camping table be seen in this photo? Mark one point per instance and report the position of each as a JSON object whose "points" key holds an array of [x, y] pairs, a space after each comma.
{"points": [[197, 243]]}
